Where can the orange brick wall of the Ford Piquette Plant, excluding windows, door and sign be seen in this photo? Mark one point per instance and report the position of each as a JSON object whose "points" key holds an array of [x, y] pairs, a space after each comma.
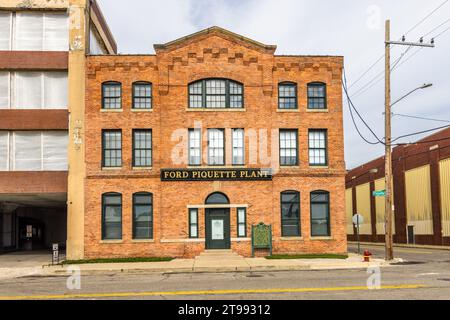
{"points": [[214, 53]]}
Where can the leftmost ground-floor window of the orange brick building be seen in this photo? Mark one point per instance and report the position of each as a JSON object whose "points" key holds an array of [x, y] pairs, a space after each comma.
{"points": [[112, 216]]}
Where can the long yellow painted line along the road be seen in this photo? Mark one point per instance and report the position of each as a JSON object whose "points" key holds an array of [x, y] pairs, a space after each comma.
{"points": [[204, 292]]}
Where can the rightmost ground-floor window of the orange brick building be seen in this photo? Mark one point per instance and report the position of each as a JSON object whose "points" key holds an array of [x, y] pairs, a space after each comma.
{"points": [[320, 214]]}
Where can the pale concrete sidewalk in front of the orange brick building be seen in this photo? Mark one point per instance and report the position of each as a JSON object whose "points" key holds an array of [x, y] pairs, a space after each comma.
{"points": [[219, 264]]}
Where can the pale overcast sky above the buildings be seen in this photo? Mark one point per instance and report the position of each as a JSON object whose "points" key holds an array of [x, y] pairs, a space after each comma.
{"points": [[354, 29]]}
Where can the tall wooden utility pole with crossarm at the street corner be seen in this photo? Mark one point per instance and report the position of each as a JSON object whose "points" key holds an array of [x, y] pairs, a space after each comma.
{"points": [[389, 200]]}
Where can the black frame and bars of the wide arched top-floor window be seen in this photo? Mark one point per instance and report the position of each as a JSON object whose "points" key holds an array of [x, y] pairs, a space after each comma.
{"points": [[228, 94]]}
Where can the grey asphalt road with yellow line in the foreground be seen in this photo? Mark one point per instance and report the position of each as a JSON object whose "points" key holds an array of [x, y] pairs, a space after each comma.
{"points": [[424, 275]]}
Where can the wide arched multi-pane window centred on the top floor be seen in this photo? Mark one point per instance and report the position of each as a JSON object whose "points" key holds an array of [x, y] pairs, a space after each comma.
{"points": [[216, 93]]}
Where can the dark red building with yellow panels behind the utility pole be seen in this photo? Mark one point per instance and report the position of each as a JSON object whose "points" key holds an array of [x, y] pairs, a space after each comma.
{"points": [[421, 174]]}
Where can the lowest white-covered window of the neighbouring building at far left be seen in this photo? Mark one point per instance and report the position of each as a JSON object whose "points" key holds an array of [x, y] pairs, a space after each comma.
{"points": [[33, 150]]}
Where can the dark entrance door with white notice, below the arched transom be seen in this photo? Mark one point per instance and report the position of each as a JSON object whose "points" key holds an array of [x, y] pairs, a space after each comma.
{"points": [[218, 229]]}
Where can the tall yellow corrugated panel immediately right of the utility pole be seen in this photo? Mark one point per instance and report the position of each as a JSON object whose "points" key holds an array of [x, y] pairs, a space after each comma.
{"points": [[418, 200]]}
